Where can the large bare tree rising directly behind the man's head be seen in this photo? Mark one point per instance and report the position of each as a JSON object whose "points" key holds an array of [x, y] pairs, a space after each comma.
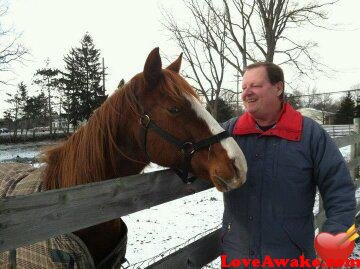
{"points": [[262, 29]]}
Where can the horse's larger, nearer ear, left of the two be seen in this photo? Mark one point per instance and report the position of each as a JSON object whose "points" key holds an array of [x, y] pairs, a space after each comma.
{"points": [[152, 68]]}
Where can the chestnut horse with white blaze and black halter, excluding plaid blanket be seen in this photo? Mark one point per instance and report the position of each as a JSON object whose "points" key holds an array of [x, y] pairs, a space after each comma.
{"points": [[155, 117]]}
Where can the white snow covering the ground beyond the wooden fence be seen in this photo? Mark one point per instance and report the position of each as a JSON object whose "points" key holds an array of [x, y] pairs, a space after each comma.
{"points": [[160, 228]]}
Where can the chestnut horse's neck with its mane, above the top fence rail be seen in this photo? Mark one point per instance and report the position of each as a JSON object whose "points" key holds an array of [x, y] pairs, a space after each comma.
{"points": [[104, 148]]}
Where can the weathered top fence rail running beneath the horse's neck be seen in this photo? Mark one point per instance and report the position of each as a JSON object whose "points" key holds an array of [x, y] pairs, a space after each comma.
{"points": [[46, 214]]}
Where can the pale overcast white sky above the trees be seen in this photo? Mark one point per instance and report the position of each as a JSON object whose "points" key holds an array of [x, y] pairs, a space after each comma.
{"points": [[126, 31]]}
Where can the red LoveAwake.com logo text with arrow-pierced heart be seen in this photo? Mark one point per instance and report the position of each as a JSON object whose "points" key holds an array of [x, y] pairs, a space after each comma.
{"points": [[333, 251]]}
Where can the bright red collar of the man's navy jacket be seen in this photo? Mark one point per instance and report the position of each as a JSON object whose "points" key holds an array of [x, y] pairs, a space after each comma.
{"points": [[288, 127]]}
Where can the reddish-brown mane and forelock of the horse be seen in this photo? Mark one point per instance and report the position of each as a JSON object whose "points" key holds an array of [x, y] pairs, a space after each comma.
{"points": [[92, 153]]}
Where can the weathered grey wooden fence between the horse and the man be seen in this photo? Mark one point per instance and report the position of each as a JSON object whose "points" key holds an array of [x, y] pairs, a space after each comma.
{"points": [[31, 218]]}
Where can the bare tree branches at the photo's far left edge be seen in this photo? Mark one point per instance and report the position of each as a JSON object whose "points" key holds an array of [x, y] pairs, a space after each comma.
{"points": [[11, 50]]}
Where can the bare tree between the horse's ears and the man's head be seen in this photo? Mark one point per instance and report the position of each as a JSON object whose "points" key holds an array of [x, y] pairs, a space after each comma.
{"points": [[203, 46]]}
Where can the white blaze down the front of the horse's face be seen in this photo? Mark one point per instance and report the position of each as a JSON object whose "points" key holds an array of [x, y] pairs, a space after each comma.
{"points": [[230, 146]]}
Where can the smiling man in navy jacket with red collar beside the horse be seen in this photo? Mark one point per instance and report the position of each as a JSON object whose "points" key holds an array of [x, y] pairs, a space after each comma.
{"points": [[288, 155]]}
